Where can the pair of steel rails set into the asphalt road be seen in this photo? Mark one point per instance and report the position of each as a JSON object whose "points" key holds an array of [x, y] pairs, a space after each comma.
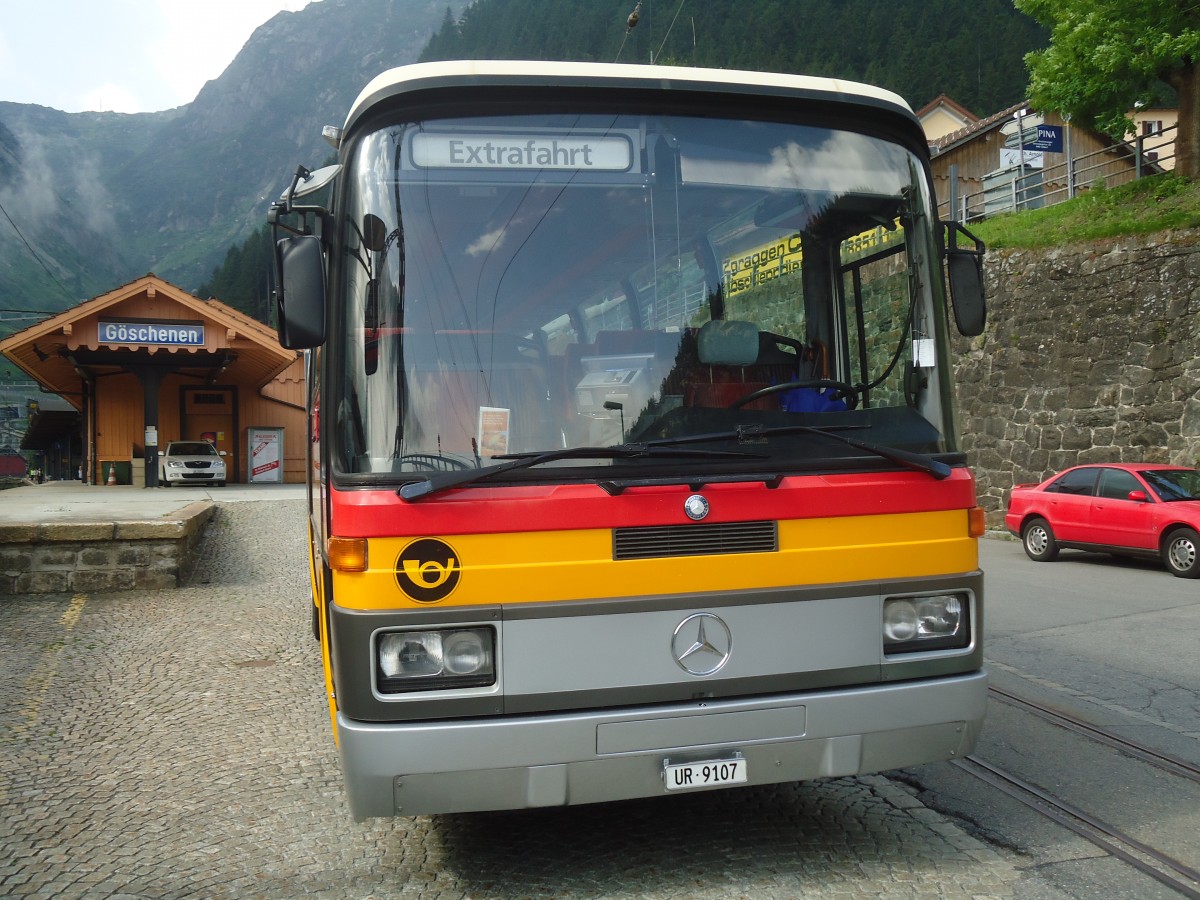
{"points": [[1155, 863]]}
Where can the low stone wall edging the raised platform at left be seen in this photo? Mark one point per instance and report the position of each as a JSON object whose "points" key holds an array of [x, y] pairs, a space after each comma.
{"points": [[69, 557]]}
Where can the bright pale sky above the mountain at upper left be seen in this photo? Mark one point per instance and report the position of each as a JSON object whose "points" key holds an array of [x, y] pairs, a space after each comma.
{"points": [[122, 56]]}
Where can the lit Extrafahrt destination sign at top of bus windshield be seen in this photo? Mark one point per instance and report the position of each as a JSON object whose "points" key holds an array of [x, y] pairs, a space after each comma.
{"points": [[515, 152]]}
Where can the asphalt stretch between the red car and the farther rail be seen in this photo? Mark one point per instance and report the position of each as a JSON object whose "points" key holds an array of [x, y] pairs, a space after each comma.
{"points": [[1115, 639]]}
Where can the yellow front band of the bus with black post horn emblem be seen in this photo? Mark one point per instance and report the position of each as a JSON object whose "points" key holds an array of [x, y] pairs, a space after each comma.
{"points": [[541, 567]]}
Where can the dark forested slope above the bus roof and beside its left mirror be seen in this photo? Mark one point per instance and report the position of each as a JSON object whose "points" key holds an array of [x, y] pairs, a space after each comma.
{"points": [[974, 53]]}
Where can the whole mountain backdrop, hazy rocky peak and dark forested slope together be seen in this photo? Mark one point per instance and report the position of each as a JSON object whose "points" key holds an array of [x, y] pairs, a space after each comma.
{"points": [[89, 201]]}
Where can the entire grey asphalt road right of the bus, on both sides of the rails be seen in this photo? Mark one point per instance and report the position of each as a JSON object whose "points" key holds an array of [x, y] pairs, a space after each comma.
{"points": [[1109, 641]]}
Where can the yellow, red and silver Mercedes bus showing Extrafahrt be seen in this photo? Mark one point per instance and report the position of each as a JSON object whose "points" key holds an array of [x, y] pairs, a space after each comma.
{"points": [[634, 466]]}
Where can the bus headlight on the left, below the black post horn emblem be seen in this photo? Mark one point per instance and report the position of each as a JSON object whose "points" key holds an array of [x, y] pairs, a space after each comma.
{"points": [[435, 661]]}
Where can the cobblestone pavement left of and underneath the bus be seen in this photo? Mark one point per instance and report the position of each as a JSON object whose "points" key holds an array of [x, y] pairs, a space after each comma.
{"points": [[176, 745]]}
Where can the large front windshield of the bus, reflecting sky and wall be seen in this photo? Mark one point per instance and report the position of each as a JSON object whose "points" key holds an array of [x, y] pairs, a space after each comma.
{"points": [[543, 283]]}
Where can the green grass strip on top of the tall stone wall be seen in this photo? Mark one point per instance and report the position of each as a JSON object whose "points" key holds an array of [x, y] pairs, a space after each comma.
{"points": [[1156, 203]]}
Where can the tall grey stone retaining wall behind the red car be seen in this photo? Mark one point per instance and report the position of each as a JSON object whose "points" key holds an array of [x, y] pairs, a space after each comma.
{"points": [[1090, 356]]}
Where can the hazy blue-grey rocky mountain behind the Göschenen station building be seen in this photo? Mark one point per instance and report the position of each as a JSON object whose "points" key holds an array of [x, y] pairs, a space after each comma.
{"points": [[89, 201]]}
